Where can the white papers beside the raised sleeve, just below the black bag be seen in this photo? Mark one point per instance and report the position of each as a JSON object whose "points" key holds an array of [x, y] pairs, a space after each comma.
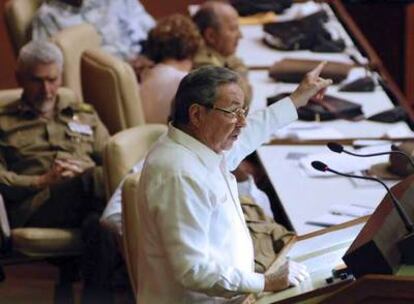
{"points": [[308, 131]]}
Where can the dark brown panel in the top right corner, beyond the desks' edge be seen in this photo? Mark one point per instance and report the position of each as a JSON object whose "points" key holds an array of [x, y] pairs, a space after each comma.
{"points": [[389, 27]]}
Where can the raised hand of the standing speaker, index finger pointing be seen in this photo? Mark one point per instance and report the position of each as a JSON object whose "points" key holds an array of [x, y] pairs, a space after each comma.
{"points": [[311, 86]]}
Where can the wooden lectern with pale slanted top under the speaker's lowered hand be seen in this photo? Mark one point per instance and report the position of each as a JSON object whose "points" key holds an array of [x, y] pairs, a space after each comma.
{"points": [[325, 249]]}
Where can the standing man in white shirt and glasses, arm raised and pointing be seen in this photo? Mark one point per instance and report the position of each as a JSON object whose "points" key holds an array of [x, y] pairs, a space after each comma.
{"points": [[194, 246]]}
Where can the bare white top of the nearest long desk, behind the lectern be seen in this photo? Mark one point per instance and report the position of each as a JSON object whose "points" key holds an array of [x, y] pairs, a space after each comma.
{"points": [[305, 198]]}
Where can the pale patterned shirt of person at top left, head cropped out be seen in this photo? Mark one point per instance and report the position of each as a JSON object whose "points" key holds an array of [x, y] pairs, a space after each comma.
{"points": [[122, 24]]}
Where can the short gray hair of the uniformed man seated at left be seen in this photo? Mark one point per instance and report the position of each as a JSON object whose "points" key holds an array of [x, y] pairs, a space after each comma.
{"points": [[39, 52]]}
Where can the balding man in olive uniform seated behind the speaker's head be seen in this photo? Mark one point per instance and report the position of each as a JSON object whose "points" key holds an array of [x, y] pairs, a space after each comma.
{"points": [[219, 26]]}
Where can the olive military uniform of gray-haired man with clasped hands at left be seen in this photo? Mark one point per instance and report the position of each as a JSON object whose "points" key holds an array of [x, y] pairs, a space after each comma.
{"points": [[29, 144]]}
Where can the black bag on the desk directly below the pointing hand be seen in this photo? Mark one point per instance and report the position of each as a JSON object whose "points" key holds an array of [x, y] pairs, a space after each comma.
{"points": [[329, 108]]}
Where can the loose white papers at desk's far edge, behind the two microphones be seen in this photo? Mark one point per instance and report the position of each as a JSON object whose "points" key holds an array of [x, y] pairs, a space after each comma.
{"points": [[342, 162]]}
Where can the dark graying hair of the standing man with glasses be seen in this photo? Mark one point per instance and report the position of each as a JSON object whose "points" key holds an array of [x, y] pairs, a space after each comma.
{"points": [[199, 87]]}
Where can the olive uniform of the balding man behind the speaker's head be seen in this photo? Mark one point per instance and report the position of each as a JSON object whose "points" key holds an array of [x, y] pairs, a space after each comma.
{"points": [[207, 56]]}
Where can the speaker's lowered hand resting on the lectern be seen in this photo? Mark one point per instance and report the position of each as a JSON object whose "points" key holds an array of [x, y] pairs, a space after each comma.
{"points": [[289, 274]]}
